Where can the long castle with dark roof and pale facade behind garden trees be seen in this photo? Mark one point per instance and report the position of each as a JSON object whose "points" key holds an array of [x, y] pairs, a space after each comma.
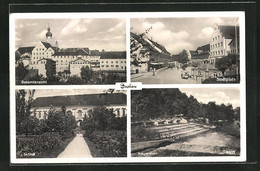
{"points": [[79, 105]]}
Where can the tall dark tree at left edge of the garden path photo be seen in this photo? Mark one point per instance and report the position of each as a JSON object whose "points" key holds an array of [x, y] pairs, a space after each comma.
{"points": [[23, 108]]}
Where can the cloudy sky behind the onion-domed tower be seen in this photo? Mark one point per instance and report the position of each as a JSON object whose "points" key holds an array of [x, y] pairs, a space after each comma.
{"points": [[94, 33]]}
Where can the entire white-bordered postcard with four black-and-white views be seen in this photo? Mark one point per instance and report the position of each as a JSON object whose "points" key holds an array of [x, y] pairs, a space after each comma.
{"points": [[127, 87]]}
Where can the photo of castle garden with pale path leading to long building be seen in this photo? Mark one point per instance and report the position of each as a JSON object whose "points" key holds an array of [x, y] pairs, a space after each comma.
{"points": [[70, 123]]}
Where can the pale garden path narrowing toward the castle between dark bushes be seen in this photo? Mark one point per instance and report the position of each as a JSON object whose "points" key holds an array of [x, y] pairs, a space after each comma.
{"points": [[77, 148]]}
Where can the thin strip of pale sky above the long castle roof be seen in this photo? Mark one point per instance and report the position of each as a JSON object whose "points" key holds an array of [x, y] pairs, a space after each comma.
{"points": [[65, 92]]}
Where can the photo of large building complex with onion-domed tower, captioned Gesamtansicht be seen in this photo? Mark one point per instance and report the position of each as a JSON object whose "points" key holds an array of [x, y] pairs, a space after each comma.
{"points": [[68, 51]]}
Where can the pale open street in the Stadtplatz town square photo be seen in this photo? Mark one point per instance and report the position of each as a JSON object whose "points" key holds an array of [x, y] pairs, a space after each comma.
{"points": [[164, 76]]}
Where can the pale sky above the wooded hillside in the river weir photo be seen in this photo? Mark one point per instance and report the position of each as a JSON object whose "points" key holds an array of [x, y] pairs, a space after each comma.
{"points": [[219, 95]]}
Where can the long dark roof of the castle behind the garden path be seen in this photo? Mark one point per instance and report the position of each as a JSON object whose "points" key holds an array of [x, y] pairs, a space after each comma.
{"points": [[85, 100]]}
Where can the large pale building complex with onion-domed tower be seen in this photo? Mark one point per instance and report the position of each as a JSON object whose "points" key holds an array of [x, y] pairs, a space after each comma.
{"points": [[69, 60]]}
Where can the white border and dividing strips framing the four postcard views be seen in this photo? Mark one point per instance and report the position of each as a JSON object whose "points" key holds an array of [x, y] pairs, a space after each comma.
{"points": [[128, 16]]}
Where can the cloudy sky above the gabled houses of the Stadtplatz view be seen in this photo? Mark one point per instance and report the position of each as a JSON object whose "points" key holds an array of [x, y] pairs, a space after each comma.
{"points": [[177, 34]]}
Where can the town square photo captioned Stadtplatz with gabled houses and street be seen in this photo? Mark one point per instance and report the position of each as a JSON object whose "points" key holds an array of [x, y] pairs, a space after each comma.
{"points": [[200, 50]]}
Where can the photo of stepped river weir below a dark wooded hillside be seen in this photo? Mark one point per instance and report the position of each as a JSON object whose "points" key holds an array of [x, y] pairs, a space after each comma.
{"points": [[176, 122]]}
